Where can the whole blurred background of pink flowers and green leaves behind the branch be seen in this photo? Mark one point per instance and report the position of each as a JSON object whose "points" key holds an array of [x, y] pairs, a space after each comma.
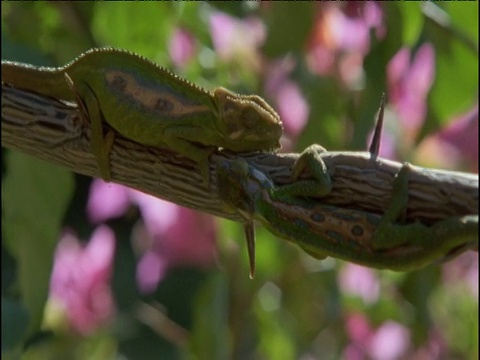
{"points": [[156, 281]]}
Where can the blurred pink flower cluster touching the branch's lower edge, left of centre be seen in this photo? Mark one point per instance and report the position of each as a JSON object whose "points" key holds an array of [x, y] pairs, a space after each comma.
{"points": [[169, 236]]}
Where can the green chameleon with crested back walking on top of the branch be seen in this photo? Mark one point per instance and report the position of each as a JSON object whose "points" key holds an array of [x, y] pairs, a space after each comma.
{"points": [[152, 106]]}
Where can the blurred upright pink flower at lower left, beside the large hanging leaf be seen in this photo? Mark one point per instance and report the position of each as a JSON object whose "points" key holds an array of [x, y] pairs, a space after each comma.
{"points": [[80, 280]]}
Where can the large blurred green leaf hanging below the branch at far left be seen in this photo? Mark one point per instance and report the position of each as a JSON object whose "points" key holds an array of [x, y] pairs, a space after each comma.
{"points": [[35, 197]]}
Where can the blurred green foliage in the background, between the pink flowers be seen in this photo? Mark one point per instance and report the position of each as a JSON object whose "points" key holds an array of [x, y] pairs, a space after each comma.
{"points": [[295, 306]]}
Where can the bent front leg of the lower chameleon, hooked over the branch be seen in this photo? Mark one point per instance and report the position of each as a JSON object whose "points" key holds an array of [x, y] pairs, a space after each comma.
{"points": [[311, 160]]}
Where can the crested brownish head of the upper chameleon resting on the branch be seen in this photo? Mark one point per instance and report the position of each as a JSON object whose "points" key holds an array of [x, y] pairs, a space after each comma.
{"points": [[249, 123]]}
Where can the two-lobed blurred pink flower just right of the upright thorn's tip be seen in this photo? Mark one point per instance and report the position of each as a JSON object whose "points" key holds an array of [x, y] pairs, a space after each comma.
{"points": [[409, 81]]}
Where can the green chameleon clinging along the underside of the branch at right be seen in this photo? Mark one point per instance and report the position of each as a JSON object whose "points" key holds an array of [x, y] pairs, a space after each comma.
{"points": [[322, 230]]}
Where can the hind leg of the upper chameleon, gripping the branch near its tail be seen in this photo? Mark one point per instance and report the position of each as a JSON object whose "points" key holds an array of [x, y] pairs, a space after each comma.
{"points": [[90, 112]]}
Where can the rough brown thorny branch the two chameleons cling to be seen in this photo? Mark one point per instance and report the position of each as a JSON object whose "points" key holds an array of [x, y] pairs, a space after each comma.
{"points": [[53, 131]]}
